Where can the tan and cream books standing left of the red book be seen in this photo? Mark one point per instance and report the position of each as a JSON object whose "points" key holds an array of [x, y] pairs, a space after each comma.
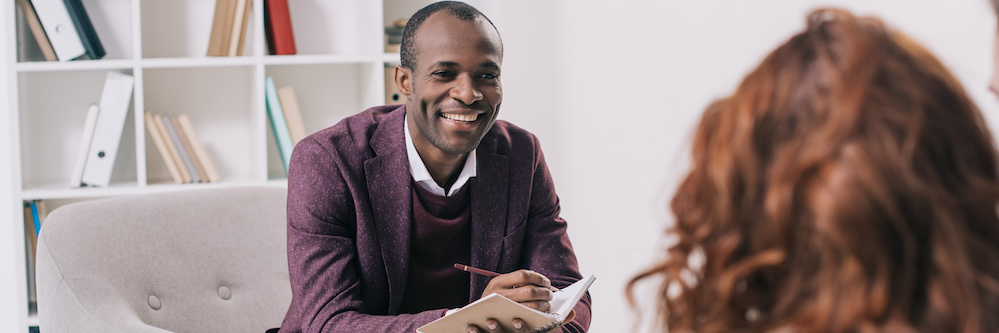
{"points": [[229, 27]]}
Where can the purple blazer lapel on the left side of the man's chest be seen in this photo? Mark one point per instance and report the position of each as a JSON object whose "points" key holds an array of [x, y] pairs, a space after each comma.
{"points": [[390, 194]]}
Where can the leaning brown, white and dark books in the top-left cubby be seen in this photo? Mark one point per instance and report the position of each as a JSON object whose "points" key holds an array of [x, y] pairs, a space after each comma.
{"points": [[62, 29]]}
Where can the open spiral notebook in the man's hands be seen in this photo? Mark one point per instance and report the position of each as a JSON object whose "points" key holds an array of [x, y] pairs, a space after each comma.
{"points": [[504, 310]]}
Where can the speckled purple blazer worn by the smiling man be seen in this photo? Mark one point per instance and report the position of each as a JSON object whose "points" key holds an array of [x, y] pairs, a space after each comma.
{"points": [[350, 211]]}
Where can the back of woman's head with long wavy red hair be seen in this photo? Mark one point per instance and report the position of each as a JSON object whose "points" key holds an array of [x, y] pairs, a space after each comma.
{"points": [[848, 185]]}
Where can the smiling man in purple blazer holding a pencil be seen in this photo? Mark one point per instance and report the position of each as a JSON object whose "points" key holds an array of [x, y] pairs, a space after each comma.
{"points": [[382, 204]]}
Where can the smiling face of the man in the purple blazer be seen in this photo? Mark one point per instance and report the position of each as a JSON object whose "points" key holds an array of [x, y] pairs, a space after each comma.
{"points": [[454, 91]]}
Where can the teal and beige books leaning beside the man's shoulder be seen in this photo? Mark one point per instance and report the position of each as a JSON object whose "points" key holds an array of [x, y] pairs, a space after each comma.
{"points": [[285, 118]]}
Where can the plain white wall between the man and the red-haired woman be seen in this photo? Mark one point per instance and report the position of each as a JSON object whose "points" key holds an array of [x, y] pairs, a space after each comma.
{"points": [[614, 88]]}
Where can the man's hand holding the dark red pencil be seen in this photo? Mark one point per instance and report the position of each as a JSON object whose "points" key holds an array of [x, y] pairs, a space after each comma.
{"points": [[523, 286]]}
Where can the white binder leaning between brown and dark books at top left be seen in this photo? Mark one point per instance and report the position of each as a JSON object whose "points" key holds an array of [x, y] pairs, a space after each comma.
{"points": [[59, 28]]}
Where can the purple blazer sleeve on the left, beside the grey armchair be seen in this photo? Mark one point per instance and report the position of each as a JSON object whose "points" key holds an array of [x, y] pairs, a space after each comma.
{"points": [[323, 263]]}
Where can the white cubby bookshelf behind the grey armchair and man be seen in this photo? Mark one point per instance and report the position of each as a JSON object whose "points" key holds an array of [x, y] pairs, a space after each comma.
{"points": [[338, 71]]}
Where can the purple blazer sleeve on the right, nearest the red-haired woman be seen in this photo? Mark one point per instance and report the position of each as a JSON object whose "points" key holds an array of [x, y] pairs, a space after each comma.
{"points": [[547, 249]]}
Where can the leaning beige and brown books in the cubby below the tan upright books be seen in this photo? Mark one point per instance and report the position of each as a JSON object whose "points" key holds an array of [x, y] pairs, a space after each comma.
{"points": [[182, 151]]}
